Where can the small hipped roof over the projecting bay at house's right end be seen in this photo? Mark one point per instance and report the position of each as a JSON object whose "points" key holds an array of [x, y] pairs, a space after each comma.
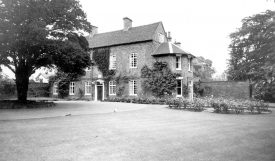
{"points": [[168, 48]]}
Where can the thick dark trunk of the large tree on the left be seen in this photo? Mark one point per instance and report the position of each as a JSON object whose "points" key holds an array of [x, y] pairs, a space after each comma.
{"points": [[22, 85]]}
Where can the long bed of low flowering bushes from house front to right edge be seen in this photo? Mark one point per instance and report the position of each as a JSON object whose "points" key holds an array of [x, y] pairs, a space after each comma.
{"points": [[219, 105]]}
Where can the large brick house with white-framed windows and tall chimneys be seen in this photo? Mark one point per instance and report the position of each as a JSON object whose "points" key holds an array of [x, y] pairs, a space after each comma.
{"points": [[130, 49]]}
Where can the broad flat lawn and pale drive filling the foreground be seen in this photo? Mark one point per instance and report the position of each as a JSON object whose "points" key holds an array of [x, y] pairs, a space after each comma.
{"points": [[151, 132]]}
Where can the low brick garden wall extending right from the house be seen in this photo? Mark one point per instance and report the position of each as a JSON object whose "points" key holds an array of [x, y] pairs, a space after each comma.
{"points": [[229, 89]]}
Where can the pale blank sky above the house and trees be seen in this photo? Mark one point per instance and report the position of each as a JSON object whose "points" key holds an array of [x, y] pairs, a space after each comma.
{"points": [[202, 26]]}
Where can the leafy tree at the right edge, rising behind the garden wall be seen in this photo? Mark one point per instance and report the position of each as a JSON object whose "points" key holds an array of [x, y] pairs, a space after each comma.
{"points": [[252, 50]]}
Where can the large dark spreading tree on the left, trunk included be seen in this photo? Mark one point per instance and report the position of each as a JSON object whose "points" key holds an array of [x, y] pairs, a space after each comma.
{"points": [[37, 33]]}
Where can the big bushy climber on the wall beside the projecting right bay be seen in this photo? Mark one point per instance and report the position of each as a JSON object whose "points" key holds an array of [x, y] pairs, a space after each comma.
{"points": [[160, 79]]}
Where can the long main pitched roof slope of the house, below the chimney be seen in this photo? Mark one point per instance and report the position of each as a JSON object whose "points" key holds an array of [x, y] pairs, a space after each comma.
{"points": [[134, 34]]}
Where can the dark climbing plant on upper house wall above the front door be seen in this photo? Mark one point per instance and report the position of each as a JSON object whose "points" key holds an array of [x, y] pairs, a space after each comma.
{"points": [[101, 57]]}
